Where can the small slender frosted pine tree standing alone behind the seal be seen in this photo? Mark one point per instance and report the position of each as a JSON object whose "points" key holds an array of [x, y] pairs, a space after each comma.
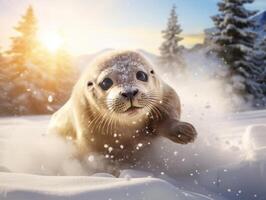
{"points": [[170, 50]]}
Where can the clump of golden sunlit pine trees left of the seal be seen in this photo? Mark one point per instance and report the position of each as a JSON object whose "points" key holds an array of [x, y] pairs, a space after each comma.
{"points": [[34, 80]]}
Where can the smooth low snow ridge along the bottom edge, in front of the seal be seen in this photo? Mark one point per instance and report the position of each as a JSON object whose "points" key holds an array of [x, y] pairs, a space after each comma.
{"points": [[25, 187]]}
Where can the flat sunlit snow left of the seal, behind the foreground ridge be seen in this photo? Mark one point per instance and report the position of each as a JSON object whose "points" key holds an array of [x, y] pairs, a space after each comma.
{"points": [[32, 151]]}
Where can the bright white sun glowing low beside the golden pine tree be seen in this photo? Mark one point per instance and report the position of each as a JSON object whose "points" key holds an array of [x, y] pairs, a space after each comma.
{"points": [[52, 40]]}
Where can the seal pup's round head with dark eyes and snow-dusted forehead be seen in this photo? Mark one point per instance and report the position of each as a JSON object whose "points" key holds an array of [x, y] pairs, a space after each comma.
{"points": [[122, 84]]}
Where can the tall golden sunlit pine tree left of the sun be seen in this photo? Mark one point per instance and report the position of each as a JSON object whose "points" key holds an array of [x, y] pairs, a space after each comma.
{"points": [[24, 74]]}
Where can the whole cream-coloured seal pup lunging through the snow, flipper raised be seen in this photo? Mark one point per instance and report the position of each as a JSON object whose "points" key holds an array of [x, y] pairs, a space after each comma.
{"points": [[119, 106]]}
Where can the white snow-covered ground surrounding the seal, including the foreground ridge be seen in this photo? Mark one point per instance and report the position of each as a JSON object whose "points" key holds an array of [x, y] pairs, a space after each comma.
{"points": [[28, 152]]}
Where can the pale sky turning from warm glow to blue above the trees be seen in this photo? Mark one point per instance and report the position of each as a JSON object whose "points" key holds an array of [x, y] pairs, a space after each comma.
{"points": [[88, 26]]}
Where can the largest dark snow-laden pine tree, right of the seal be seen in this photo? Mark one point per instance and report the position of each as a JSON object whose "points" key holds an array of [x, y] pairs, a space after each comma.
{"points": [[234, 42]]}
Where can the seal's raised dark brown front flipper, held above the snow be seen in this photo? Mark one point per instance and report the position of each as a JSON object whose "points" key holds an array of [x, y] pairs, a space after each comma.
{"points": [[179, 132]]}
